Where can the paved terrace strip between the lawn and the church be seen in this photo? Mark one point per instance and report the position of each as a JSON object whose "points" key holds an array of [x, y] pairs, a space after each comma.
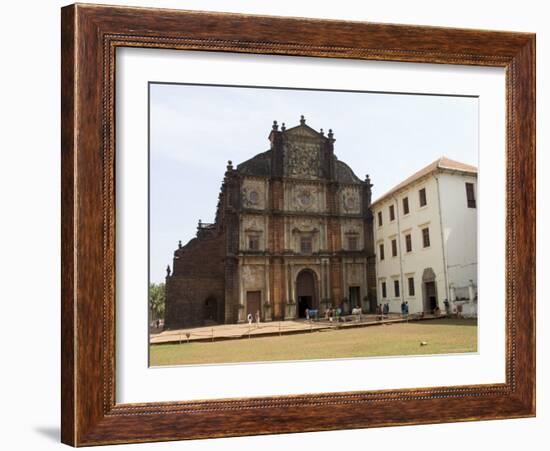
{"points": [[244, 330]]}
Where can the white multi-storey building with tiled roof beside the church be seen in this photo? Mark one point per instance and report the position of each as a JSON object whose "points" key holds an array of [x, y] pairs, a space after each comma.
{"points": [[425, 234]]}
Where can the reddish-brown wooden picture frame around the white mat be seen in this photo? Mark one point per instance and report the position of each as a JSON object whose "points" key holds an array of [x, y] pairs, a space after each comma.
{"points": [[90, 36]]}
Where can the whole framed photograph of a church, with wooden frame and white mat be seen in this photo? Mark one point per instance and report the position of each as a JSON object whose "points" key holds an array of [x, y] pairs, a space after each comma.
{"points": [[275, 225]]}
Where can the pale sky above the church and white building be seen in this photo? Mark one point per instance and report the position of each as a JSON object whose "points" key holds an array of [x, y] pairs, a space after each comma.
{"points": [[194, 130]]}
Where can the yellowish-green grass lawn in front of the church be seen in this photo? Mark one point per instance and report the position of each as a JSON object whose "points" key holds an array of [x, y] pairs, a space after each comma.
{"points": [[442, 336]]}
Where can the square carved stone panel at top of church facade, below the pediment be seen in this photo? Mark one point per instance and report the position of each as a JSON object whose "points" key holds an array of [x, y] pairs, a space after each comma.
{"points": [[302, 159]]}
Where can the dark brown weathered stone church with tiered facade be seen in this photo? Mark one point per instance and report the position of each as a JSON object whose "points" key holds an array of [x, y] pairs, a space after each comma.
{"points": [[293, 231]]}
